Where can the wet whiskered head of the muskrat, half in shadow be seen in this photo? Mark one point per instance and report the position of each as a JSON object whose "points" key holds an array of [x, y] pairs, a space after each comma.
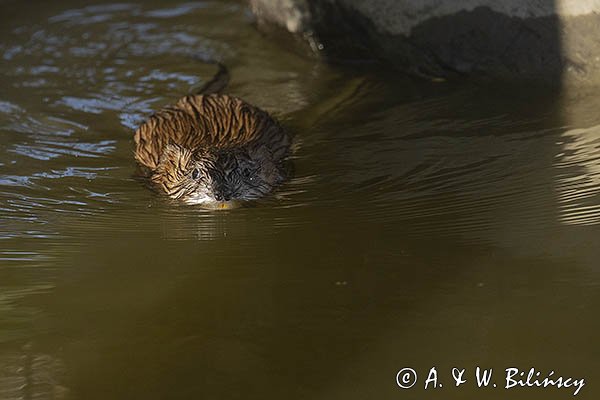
{"points": [[215, 179]]}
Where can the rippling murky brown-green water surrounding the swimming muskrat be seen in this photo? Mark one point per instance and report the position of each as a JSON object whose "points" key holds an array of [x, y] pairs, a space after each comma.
{"points": [[446, 225]]}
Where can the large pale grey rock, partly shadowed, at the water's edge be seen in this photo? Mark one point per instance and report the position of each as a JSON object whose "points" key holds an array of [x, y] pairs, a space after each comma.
{"points": [[541, 39]]}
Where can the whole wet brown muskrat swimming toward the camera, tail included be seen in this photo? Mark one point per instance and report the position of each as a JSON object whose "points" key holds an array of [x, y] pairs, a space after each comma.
{"points": [[212, 149]]}
